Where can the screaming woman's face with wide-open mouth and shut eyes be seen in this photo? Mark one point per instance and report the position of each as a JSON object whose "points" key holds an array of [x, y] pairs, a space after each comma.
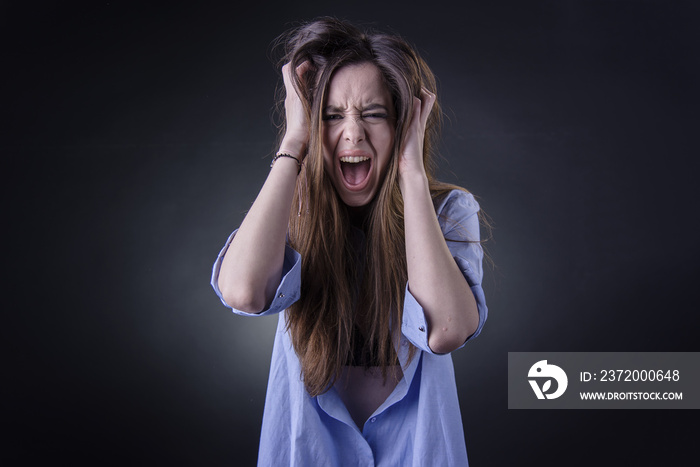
{"points": [[358, 132]]}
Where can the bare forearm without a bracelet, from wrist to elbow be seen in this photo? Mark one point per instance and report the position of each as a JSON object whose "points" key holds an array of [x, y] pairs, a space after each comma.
{"points": [[434, 278]]}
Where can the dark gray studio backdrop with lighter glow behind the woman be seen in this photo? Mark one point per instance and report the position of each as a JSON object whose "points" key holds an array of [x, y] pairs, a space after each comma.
{"points": [[136, 135]]}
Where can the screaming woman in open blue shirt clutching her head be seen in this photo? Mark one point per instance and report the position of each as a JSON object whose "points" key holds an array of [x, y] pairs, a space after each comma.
{"points": [[375, 265]]}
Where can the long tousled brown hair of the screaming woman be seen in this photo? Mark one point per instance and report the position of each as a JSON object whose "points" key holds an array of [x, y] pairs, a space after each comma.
{"points": [[343, 289]]}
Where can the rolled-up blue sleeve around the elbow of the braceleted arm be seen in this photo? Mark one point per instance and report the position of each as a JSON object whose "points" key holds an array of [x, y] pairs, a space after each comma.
{"points": [[287, 292]]}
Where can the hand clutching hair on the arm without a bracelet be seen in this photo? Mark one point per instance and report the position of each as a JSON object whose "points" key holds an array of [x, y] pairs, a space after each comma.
{"points": [[411, 158]]}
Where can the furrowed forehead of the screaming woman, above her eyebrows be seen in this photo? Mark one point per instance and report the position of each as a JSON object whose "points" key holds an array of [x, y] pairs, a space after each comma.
{"points": [[356, 85]]}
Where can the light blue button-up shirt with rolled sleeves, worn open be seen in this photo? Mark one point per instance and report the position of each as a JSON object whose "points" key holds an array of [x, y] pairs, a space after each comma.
{"points": [[419, 424]]}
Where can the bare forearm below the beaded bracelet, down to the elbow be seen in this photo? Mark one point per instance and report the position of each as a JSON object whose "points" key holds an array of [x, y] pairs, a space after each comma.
{"points": [[252, 267]]}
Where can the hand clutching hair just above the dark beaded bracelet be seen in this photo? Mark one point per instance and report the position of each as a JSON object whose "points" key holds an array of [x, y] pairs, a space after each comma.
{"points": [[296, 137]]}
